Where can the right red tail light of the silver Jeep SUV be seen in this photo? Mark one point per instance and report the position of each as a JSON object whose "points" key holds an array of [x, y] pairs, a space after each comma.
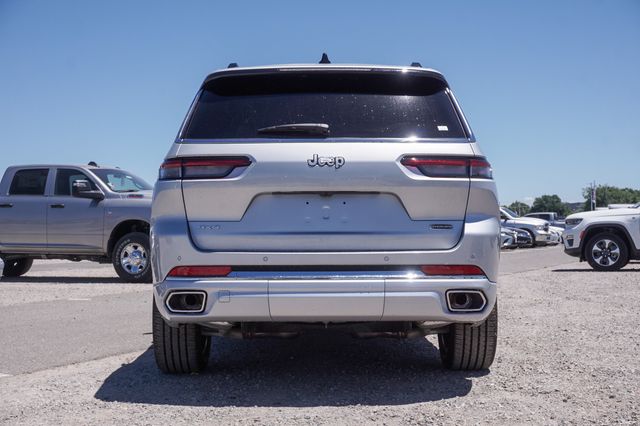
{"points": [[452, 167]]}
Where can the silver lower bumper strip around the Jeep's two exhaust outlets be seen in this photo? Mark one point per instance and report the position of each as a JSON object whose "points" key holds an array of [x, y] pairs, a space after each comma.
{"points": [[325, 300]]}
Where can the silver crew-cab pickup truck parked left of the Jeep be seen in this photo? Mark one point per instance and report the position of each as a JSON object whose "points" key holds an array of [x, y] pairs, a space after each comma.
{"points": [[76, 213]]}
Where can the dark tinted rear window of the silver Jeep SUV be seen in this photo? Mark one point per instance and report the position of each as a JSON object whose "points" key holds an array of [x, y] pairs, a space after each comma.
{"points": [[375, 105]]}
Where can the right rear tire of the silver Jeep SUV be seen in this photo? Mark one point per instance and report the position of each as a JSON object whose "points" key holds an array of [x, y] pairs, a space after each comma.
{"points": [[468, 346]]}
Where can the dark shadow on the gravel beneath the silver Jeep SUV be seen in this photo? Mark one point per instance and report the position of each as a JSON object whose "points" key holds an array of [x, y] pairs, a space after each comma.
{"points": [[317, 369]]}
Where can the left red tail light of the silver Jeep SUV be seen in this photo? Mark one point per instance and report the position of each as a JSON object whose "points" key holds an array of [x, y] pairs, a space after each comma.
{"points": [[201, 168]]}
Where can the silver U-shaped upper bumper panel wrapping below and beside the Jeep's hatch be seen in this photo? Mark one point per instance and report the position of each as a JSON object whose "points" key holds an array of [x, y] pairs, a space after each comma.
{"points": [[171, 244]]}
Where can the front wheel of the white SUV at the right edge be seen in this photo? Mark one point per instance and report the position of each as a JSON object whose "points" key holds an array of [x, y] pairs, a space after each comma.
{"points": [[606, 252]]}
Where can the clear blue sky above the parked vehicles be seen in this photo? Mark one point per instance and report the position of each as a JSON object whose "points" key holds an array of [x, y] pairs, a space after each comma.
{"points": [[551, 88]]}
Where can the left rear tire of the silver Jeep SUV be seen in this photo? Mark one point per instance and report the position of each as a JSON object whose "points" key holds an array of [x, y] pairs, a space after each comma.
{"points": [[179, 350]]}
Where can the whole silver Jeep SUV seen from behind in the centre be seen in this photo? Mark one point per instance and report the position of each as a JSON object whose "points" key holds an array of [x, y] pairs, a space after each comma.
{"points": [[346, 196]]}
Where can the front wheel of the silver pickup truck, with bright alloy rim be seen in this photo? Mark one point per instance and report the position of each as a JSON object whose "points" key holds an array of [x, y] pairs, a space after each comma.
{"points": [[131, 258]]}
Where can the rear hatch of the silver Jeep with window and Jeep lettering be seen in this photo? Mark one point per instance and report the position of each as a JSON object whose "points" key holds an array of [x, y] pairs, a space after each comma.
{"points": [[324, 160]]}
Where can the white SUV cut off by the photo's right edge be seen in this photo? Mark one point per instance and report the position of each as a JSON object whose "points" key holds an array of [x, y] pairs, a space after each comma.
{"points": [[607, 239]]}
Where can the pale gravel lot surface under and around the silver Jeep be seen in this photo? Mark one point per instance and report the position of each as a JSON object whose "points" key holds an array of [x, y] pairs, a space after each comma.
{"points": [[569, 352]]}
